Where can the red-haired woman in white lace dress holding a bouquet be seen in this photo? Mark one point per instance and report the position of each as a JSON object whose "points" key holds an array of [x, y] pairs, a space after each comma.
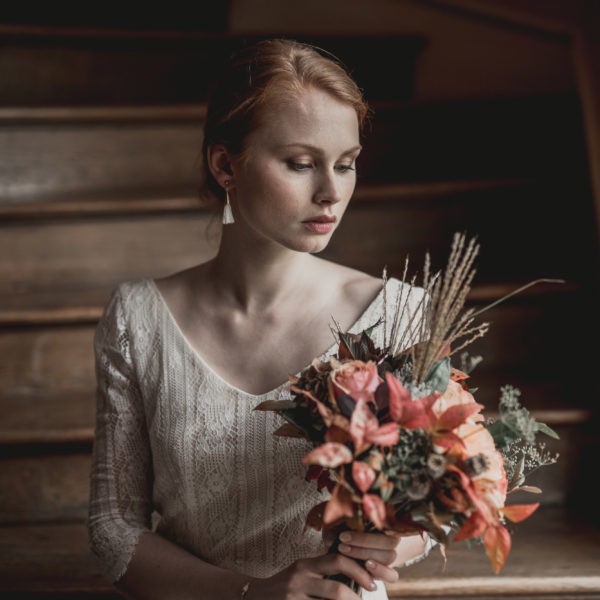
{"points": [[182, 361]]}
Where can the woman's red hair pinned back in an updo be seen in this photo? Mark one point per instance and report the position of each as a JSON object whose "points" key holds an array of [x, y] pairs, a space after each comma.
{"points": [[259, 75]]}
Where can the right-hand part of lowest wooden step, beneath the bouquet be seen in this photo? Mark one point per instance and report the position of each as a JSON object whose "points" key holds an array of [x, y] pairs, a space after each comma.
{"points": [[553, 555]]}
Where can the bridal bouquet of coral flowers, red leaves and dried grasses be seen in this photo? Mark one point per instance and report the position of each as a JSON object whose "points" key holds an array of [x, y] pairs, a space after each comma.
{"points": [[399, 440]]}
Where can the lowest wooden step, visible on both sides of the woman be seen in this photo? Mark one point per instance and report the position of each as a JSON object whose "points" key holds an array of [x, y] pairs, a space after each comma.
{"points": [[553, 556]]}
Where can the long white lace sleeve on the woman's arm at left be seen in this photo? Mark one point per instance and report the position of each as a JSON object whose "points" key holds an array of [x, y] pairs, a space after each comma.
{"points": [[121, 476]]}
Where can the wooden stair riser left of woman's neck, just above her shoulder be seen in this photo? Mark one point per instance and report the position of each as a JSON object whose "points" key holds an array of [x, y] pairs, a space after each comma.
{"points": [[87, 255]]}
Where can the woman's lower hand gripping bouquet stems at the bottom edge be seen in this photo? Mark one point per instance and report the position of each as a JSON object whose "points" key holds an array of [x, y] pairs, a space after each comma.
{"points": [[305, 579]]}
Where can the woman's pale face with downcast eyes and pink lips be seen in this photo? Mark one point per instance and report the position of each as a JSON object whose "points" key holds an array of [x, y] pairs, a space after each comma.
{"points": [[299, 166]]}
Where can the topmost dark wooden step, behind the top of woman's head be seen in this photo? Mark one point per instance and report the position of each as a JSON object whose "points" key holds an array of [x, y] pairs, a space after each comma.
{"points": [[169, 66]]}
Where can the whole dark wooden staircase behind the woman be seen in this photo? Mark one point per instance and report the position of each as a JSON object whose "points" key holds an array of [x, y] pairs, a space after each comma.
{"points": [[98, 178]]}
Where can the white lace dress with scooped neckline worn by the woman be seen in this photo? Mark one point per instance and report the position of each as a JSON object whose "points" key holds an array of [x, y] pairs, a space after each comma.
{"points": [[174, 439]]}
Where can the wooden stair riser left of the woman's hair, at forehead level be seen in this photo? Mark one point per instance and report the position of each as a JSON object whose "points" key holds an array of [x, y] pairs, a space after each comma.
{"points": [[76, 161]]}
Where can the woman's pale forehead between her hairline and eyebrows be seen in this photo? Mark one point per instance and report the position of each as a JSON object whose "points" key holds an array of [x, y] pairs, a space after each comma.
{"points": [[313, 118]]}
